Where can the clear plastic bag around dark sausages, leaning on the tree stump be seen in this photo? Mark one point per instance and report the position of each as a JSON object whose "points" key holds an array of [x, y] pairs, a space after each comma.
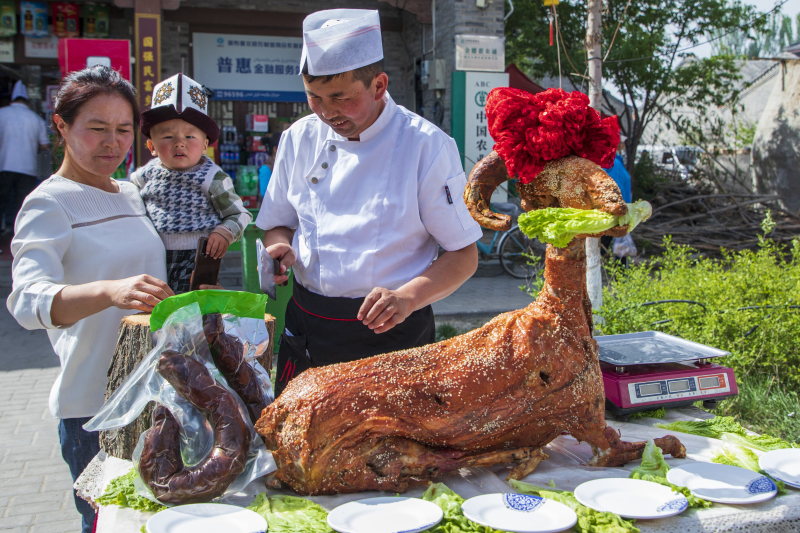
{"points": [[183, 332]]}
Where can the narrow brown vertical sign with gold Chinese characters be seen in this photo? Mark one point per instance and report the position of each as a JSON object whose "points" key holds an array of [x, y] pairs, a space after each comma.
{"points": [[148, 69]]}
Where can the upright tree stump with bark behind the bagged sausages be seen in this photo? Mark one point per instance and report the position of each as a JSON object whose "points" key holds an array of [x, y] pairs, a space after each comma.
{"points": [[133, 344]]}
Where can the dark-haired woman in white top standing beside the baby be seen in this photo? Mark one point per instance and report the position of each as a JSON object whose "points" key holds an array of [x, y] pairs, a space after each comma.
{"points": [[85, 254]]}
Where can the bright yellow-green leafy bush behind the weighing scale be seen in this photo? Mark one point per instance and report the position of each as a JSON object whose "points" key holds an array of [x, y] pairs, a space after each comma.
{"points": [[745, 296]]}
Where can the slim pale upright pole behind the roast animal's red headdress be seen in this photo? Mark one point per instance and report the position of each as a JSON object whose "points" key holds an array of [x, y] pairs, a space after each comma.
{"points": [[594, 278]]}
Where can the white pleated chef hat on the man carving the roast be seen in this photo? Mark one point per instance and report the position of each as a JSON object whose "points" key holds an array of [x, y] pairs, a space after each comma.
{"points": [[339, 40]]}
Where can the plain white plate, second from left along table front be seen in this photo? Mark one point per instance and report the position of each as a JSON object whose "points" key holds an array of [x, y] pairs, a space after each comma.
{"points": [[385, 515]]}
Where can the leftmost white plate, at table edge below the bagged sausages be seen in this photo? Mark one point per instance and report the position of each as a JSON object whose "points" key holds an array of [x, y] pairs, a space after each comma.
{"points": [[206, 518]]}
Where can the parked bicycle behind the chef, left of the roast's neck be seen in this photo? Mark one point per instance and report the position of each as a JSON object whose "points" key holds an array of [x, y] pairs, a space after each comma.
{"points": [[520, 256]]}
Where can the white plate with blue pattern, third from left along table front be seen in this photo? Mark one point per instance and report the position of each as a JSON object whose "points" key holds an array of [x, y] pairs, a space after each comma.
{"points": [[519, 513]]}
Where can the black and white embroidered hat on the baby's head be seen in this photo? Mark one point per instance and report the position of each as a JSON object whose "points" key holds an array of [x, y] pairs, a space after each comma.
{"points": [[183, 98]]}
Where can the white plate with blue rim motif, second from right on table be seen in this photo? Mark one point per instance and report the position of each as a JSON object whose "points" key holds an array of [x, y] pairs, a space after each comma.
{"points": [[723, 483]]}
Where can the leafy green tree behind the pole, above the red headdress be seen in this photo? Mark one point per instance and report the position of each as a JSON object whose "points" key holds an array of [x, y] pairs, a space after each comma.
{"points": [[647, 63]]}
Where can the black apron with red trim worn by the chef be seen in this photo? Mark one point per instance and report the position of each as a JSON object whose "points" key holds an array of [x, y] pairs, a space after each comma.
{"points": [[323, 330]]}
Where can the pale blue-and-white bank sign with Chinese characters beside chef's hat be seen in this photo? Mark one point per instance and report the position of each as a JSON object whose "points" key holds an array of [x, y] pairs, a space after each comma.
{"points": [[240, 67]]}
